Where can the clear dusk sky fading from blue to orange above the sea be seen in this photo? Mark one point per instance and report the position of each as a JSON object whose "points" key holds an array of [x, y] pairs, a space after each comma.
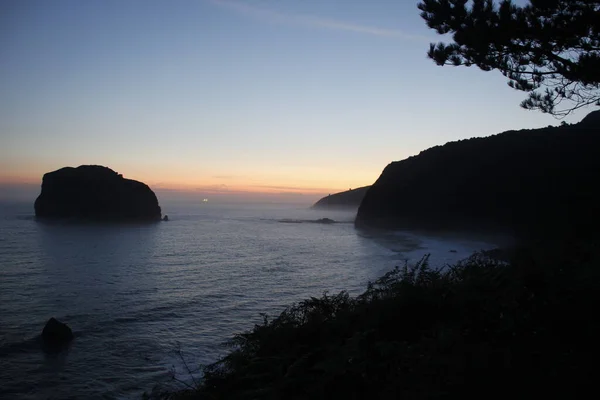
{"points": [[283, 98]]}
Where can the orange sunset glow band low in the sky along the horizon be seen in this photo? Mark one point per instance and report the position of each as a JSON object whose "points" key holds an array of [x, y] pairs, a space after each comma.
{"points": [[305, 180]]}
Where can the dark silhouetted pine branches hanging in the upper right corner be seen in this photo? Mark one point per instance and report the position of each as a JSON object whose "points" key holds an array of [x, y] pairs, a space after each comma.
{"points": [[551, 44]]}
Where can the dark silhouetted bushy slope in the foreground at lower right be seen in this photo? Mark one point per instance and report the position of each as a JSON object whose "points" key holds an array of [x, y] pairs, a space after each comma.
{"points": [[518, 329]]}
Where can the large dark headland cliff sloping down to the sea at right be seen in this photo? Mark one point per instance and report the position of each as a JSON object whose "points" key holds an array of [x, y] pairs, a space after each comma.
{"points": [[519, 182]]}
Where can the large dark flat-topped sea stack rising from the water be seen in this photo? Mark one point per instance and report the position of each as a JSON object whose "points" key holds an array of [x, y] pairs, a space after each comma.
{"points": [[92, 192]]}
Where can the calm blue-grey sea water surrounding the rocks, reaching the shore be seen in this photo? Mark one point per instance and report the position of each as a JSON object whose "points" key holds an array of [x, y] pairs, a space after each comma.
{"points": [[138, 296]]}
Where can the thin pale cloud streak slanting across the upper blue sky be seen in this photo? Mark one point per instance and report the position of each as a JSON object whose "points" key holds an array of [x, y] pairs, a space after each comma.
{"points": [[314, 22]]}
